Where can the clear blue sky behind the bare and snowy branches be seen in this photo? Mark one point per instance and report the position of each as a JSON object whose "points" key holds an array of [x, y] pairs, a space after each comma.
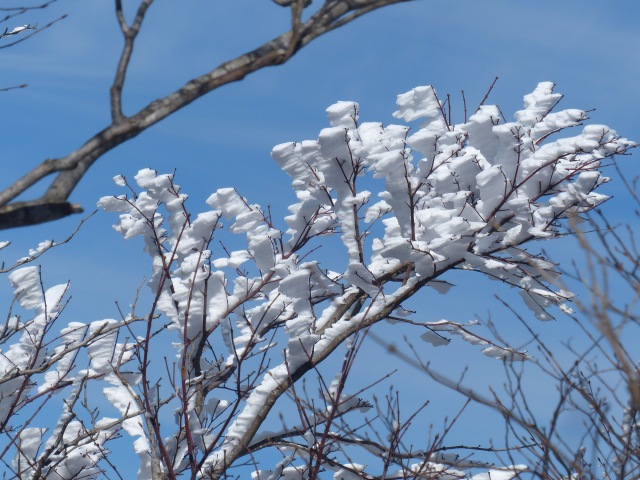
{"points": [[591, 50]]}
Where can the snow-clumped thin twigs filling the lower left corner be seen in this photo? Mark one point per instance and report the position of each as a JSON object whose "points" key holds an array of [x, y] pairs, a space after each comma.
{"points": [[40, 356]]}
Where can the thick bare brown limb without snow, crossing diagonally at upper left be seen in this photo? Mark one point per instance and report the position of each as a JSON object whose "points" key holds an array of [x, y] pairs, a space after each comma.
{"points": [[70, 169]]}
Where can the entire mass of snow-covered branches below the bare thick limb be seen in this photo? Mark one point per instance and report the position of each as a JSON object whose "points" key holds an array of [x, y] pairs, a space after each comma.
{"points": [[236, 326]]}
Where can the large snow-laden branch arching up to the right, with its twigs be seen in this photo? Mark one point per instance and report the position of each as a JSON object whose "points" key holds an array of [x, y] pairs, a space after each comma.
{"points": [[450, 196]]}
